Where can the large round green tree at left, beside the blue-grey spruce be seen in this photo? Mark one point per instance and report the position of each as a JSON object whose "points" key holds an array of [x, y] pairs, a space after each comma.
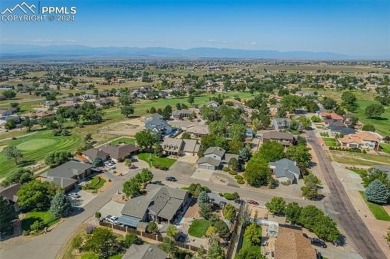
{"points": [[36, 195]]}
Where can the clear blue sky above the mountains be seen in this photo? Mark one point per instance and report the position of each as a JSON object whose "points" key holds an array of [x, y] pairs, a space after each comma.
{"points": [[353, 27]]}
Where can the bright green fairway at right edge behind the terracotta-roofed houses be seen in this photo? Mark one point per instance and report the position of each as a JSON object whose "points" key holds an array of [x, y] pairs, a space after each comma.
{"points": [[364, 99]]}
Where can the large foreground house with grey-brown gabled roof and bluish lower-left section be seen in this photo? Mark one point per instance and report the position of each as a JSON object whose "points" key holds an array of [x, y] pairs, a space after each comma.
{"points": [[161, 203]]}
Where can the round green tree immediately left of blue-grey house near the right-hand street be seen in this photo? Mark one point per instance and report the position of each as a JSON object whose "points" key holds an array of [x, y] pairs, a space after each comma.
{"points": [[257, 172]]}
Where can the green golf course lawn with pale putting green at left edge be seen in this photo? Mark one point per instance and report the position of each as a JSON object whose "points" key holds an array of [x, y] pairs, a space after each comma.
{"points": [[35, 147]]}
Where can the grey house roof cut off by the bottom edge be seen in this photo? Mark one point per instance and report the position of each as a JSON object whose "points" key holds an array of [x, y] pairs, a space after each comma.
{"points": [[146, 251]]}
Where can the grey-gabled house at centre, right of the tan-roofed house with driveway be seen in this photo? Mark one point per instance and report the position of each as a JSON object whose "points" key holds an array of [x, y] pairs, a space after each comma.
{"points": [[215, 157]]}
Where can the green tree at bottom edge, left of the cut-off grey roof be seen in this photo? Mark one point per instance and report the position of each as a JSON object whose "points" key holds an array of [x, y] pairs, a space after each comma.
{"points": [[102, 242]]}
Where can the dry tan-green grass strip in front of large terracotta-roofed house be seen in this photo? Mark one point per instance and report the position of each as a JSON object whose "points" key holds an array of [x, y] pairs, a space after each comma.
{"points": [[358, 159]]}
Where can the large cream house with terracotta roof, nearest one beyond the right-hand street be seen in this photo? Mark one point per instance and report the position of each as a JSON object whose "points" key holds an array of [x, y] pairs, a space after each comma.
{"points": [[362, 139]]}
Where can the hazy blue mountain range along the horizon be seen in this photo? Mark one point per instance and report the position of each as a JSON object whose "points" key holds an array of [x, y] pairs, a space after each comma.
{"points": [[19, 51]]}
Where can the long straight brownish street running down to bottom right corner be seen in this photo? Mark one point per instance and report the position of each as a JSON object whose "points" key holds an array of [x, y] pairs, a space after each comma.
{"points": [[357, 232]]}
